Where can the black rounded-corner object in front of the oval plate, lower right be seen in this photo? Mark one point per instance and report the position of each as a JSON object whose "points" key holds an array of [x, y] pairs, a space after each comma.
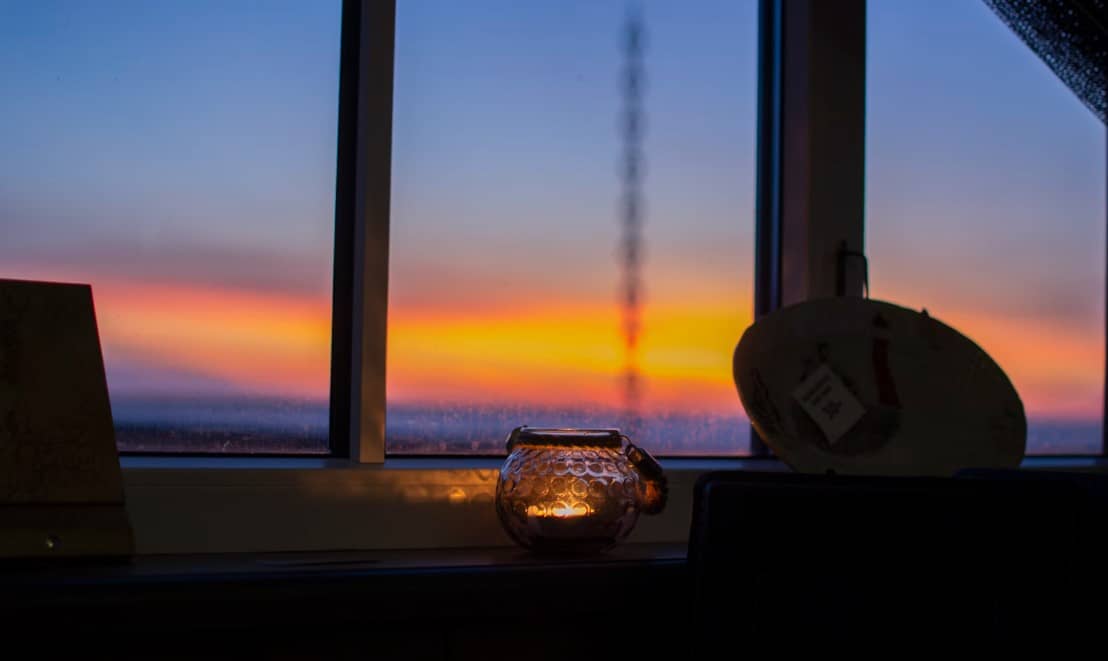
{"points": [[892, 560]]}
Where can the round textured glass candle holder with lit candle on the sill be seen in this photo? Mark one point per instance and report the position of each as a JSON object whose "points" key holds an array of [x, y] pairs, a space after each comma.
{"points": [[576, 490]]}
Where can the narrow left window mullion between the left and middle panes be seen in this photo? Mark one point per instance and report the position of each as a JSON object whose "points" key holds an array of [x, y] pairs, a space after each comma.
{"points": [[364, 175]]}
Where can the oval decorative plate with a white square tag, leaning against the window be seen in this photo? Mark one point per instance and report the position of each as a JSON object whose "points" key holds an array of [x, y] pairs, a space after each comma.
{"points": [[857, 386]]}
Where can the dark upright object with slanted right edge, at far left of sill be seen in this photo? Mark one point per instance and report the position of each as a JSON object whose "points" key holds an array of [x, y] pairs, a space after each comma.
{"points": [[61, 489]]}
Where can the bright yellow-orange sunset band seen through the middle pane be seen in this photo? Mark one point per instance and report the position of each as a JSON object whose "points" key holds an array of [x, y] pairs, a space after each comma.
{"points": [[567, 357]]}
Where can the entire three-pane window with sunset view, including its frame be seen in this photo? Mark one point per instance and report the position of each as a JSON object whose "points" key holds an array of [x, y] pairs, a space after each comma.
{"points": [[210, 168]]}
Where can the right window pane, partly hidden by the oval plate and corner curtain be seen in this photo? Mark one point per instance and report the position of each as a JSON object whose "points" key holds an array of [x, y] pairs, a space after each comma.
{"points": [[986, 202]]}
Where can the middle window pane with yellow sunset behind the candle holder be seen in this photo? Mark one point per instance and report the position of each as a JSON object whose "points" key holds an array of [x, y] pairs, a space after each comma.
{"points": [[506, 282]]}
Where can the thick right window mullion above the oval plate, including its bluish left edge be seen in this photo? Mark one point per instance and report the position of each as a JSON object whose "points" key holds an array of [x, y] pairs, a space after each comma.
{"points": [[812, 153]]}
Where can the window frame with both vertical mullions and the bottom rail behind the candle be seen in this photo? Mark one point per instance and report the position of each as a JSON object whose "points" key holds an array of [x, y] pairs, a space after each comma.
{"points": [[362, 499]]}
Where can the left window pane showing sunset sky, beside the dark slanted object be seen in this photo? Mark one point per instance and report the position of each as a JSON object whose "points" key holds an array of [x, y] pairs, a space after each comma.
{"points": [[180, 158]]}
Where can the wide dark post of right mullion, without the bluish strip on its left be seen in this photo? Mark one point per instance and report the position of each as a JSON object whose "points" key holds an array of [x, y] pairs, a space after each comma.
{"points": [[823, 149]]}
